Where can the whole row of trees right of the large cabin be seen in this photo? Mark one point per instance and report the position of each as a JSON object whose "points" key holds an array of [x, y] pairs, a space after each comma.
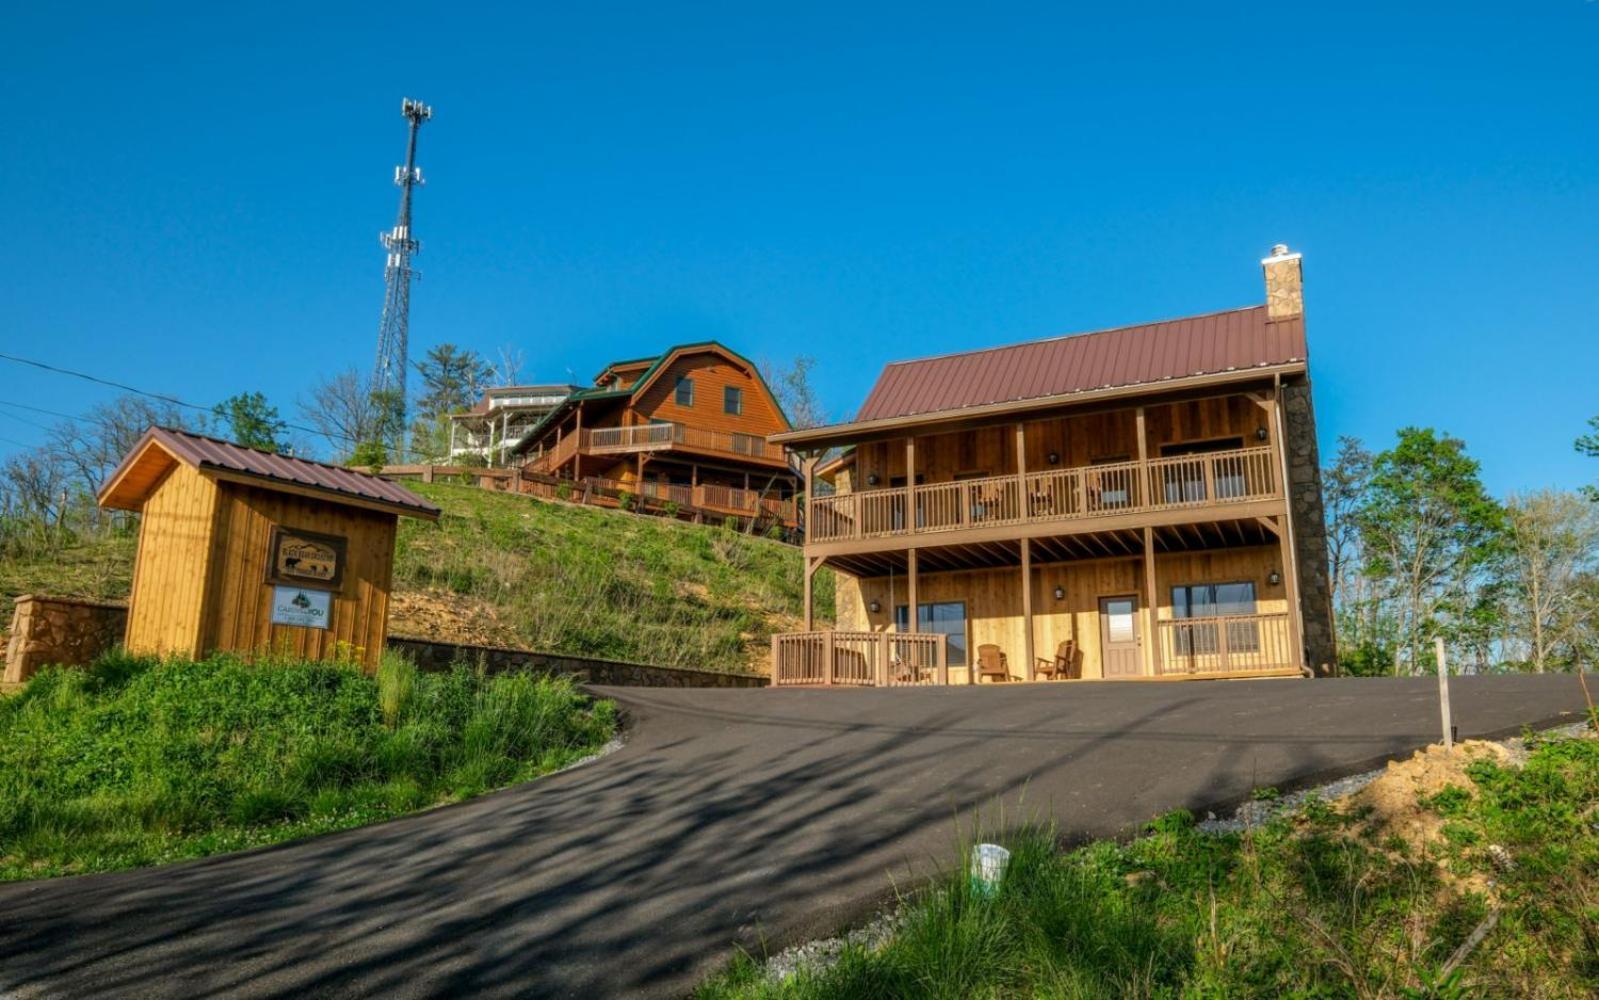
{"points": [[1419, 550]]}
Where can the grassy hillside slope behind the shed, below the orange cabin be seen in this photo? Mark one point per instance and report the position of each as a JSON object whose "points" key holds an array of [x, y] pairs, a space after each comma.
{"points": [[519, 572]]}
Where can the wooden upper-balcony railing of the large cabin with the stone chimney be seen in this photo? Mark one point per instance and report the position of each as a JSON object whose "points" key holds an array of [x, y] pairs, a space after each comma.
{"points": [[1166, 484]]}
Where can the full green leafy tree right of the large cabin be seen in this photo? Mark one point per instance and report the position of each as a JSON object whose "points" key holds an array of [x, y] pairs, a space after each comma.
{"points": [[1430, 530]]}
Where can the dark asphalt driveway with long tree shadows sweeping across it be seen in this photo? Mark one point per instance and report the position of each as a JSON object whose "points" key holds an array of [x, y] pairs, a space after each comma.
{"points": [[728, 817]]}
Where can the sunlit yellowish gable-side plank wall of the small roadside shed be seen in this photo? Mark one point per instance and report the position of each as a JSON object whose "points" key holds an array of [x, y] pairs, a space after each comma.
{"points": [[165, 614]]}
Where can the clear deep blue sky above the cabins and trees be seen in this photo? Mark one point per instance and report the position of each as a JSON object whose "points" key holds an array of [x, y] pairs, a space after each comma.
{"points": [[191, 198]]}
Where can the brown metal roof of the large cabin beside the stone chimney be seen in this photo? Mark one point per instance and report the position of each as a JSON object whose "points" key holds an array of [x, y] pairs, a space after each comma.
{"points": [[1128, 356]]}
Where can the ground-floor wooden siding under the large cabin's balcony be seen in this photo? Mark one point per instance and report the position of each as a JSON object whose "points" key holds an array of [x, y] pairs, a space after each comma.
{"points": [[994, 599]]}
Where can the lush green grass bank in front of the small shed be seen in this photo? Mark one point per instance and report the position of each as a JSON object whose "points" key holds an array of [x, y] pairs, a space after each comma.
{"points": [[137, 761]]}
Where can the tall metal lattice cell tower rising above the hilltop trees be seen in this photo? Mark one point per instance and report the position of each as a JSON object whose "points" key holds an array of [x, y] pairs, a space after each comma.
{"points": [[394, 332]]}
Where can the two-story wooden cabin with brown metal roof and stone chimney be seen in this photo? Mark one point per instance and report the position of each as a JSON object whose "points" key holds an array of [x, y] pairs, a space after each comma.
{"points": [[1136, 503]]}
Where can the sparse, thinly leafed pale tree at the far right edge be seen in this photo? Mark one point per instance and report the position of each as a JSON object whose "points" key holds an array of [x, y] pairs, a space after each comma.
{"points": [[1553, 556]]}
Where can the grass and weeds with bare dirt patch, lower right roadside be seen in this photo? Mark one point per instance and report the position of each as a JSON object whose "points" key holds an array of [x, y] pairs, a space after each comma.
{"points": [[1314, 905]]}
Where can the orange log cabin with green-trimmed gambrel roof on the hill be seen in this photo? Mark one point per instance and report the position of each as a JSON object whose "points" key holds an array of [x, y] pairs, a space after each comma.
{"points": [[687, 426]]}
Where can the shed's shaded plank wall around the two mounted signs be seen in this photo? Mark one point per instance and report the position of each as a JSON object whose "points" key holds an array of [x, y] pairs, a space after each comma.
{"points": [[241, 612]]}
